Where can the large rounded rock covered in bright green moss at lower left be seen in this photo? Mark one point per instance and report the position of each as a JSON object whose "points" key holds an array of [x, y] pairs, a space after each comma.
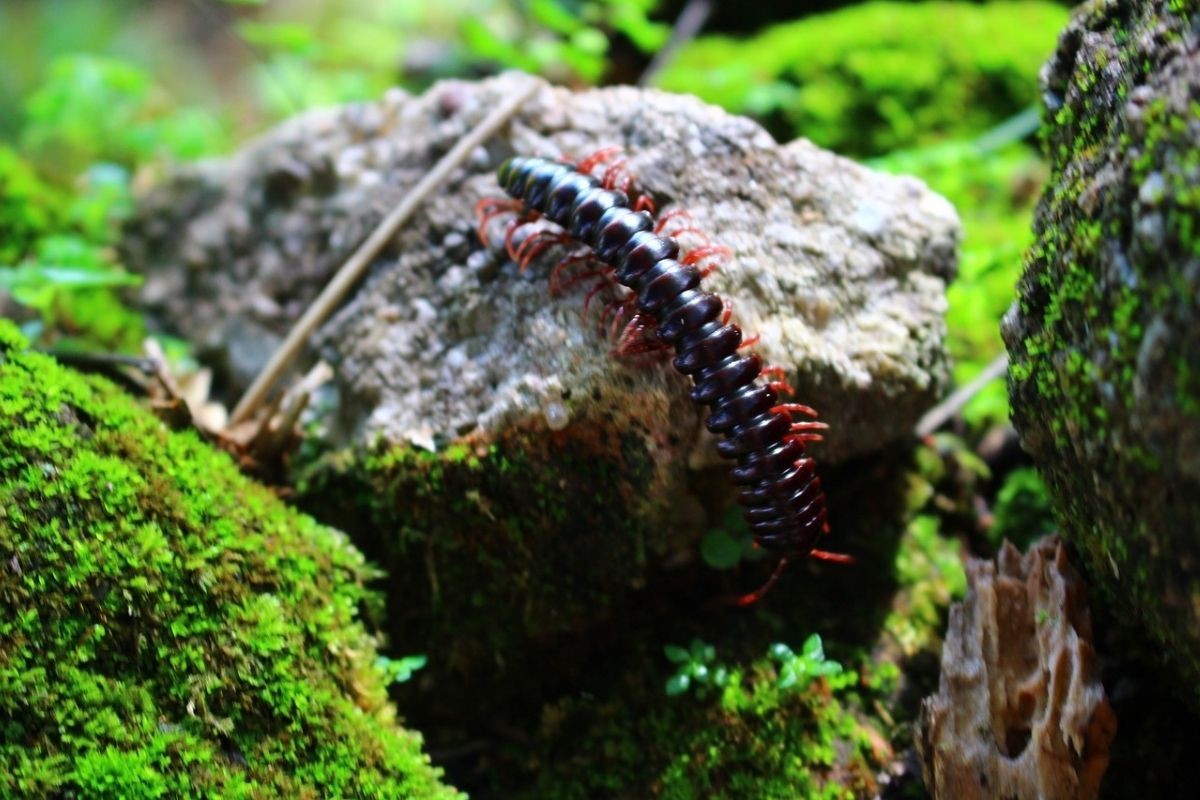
{"points": [[167, 628]]}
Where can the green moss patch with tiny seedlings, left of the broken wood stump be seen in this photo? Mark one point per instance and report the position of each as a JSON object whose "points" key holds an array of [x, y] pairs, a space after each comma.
{"points": [[755, 738]]}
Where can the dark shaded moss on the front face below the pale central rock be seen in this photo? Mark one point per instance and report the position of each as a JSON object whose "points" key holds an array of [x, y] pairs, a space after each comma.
{"points": [[515, 527]]}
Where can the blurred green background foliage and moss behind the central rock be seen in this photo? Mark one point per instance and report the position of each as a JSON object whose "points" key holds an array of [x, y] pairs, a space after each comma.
{"points": [[98, 98]]}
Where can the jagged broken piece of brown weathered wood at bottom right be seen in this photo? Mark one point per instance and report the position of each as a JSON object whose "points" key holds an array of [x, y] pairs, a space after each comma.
{"points": [[1019, 712]]}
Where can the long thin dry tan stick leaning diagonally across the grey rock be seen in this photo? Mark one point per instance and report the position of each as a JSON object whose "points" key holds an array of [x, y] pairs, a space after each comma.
{"points": [[350, 274]]}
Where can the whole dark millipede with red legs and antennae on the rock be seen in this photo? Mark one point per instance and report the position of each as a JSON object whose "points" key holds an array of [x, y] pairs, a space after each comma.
{"points": [[661, 303]]}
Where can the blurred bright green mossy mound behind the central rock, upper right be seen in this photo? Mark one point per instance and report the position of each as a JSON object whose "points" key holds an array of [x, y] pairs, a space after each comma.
{"points": [[879, 76]]}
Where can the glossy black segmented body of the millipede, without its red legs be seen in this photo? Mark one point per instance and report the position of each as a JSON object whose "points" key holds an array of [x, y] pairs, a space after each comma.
{"points": [[779, 492]]}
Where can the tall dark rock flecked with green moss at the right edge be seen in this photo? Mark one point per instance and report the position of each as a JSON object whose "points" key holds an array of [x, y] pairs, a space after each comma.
{"points": [[1105, 342]]}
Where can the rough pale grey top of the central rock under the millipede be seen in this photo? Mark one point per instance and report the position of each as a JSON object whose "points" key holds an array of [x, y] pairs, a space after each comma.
{"points": [[841, 269]]}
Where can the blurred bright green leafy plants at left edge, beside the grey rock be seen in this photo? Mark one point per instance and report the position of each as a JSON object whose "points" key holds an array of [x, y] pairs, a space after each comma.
{"points": [[67, 194]]}
